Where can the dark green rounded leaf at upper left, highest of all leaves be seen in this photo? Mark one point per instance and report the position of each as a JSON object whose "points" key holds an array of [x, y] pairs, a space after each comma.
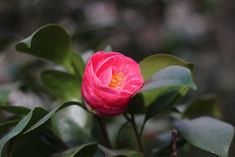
{"points": [[49, 42]]}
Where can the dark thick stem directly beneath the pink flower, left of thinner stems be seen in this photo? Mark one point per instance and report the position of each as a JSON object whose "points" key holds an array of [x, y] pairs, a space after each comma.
{"points": [[103, 131]]}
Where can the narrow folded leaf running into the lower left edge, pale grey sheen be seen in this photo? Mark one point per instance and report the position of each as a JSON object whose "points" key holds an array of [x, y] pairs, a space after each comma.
{"points": [[25, 123]]}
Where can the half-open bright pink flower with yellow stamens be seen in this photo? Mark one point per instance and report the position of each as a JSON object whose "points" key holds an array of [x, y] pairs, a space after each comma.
{"points": [[110, 80]]}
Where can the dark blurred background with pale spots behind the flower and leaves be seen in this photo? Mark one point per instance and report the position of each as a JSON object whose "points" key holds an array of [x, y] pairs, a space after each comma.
{"points": [[199, 31]]}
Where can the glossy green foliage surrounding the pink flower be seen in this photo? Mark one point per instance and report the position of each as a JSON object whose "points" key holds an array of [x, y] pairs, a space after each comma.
{"points": [[60, 133]]}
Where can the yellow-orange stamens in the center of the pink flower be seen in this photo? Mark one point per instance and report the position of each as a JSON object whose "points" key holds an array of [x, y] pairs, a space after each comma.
{"points": [[117, 80]]}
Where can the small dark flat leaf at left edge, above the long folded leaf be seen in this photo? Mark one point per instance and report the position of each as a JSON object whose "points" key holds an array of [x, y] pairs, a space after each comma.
{"points": [[18, 110]]}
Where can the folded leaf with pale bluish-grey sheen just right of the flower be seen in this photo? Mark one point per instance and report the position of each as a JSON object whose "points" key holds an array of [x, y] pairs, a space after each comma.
{"points": [[165, 88]]}
